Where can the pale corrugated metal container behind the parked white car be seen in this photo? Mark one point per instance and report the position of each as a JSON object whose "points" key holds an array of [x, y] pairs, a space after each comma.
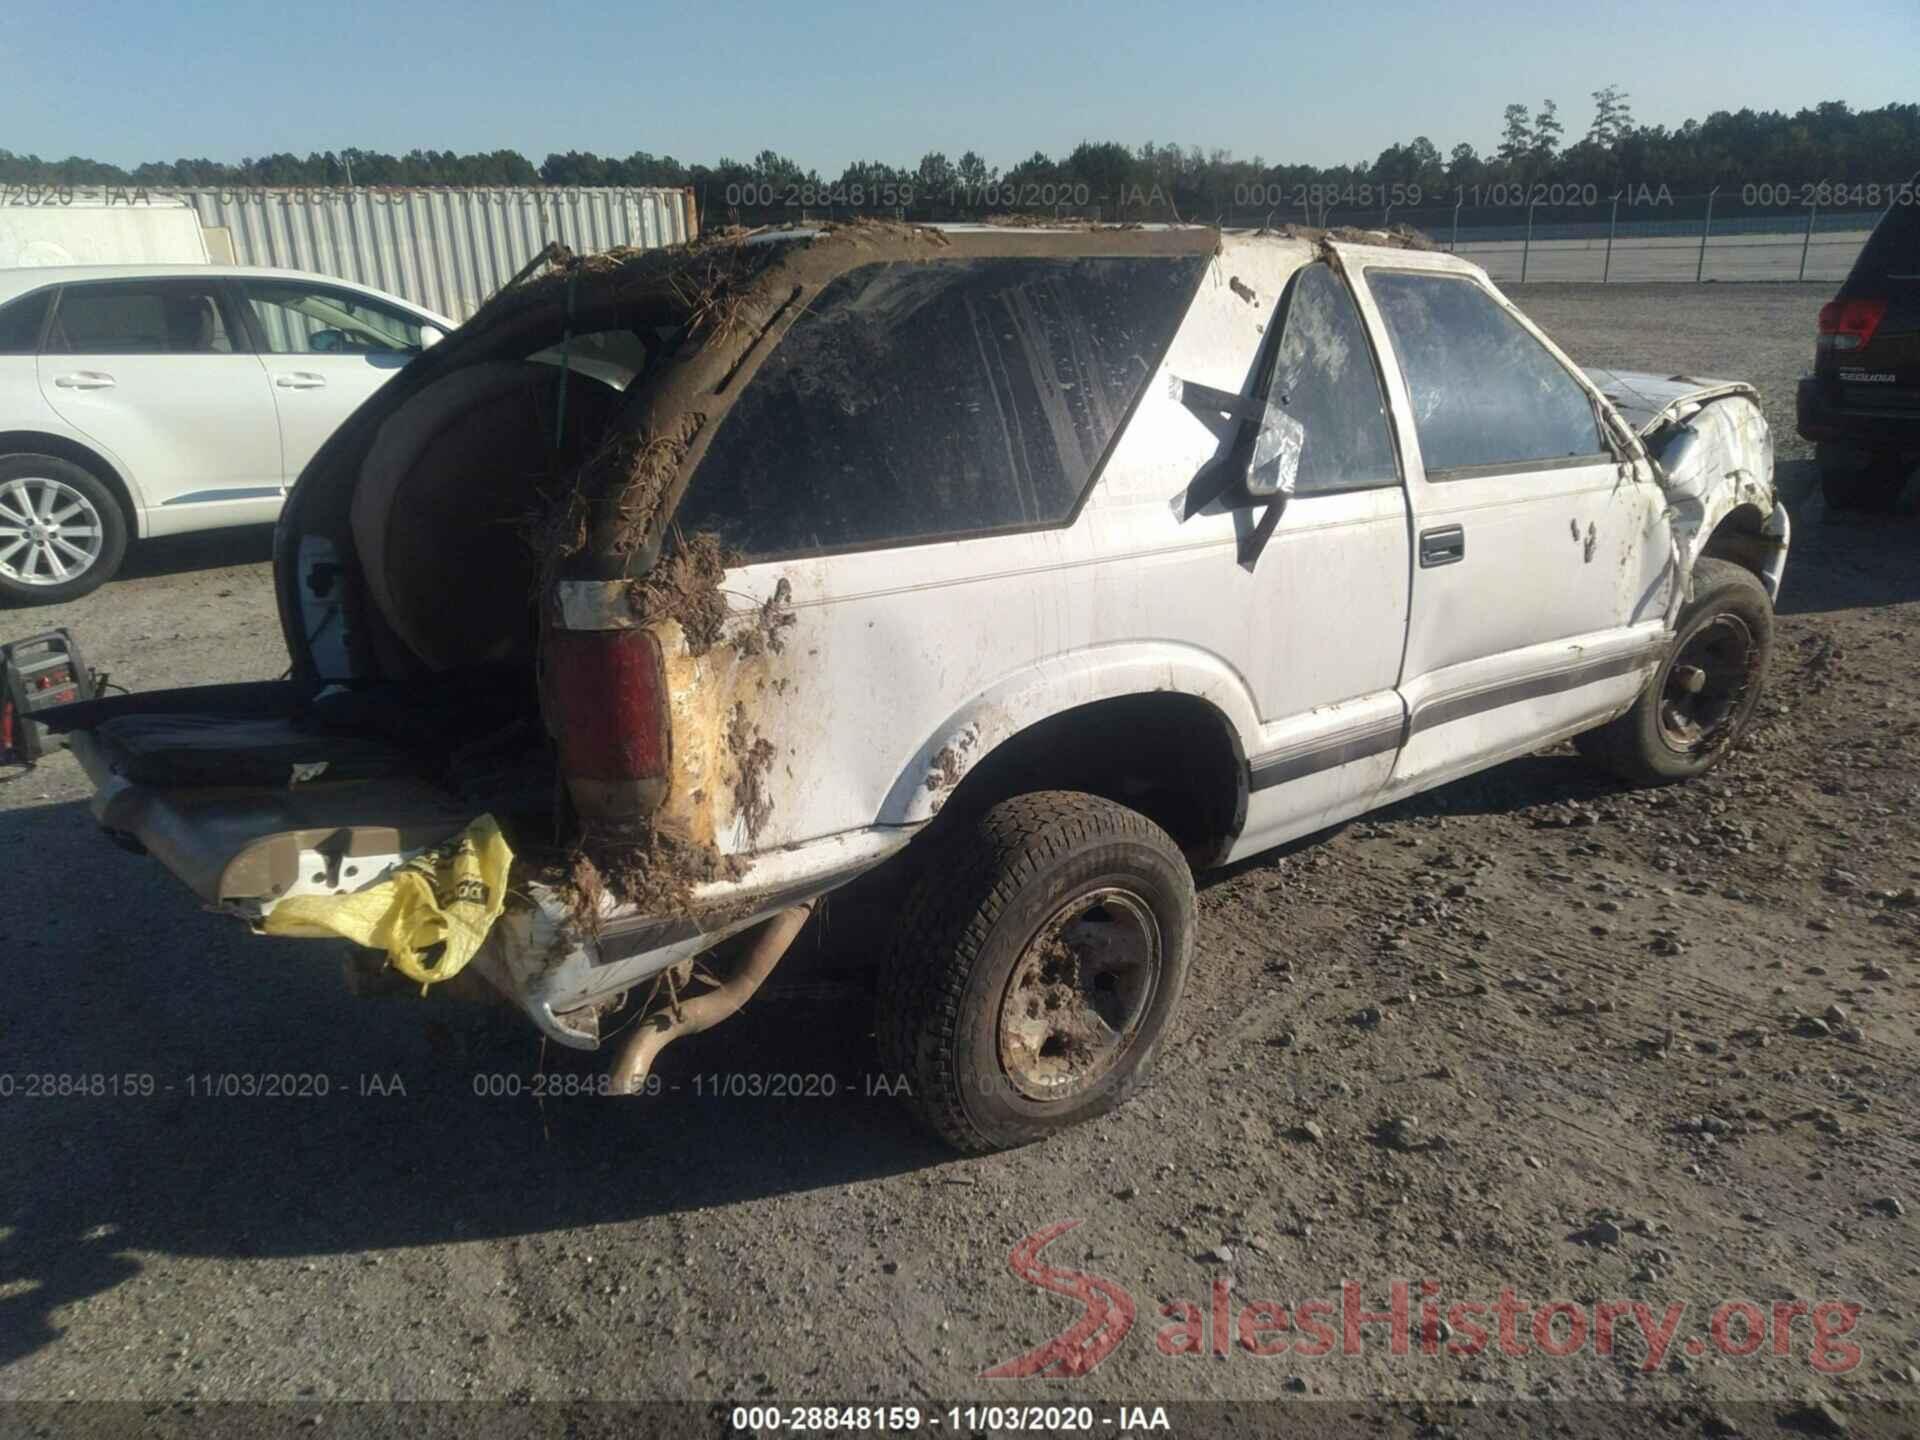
{"points": [[443, 249]]}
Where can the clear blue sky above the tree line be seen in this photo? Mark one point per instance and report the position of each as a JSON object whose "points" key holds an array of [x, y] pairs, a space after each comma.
{"points": [[844, 80]]}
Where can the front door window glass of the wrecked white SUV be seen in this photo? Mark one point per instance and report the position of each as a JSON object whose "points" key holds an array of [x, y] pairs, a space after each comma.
{"points": [[1485, 393]]}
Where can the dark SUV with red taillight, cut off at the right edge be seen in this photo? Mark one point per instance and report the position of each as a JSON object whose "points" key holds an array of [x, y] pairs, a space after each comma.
{"points": [[1861, 404]]}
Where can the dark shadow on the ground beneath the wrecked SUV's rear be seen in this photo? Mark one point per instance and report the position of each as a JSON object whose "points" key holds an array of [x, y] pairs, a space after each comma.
{"points": [[130, 1128]]}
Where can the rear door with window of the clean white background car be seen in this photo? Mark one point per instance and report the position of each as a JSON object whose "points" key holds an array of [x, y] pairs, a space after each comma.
{"points": [[133, 368]]}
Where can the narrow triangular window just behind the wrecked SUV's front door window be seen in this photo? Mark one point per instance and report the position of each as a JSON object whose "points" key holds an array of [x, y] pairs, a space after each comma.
{"points": [[1324, 377]]}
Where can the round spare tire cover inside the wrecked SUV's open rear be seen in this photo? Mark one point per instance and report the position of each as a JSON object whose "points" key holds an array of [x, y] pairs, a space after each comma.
{"points": [[446, 496]]}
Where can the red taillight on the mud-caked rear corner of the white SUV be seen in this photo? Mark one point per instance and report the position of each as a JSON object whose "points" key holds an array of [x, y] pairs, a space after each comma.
{"points": [[608, 704]]}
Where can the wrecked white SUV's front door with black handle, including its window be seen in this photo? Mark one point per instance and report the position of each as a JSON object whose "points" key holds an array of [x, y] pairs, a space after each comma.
{"points": [[1539, 585]]}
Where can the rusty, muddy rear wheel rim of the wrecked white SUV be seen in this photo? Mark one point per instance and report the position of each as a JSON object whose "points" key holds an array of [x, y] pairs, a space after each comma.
{"points": [[1080, 994]]}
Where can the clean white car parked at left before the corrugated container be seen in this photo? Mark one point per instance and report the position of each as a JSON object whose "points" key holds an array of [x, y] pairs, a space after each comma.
{"points": [[149, 400]]}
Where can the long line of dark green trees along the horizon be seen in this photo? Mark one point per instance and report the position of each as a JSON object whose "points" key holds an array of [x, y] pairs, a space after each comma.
{"points": [[1823, 145]]}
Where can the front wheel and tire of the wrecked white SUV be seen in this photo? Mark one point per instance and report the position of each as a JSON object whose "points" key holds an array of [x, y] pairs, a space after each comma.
{"points": [[1702, 698]]}
